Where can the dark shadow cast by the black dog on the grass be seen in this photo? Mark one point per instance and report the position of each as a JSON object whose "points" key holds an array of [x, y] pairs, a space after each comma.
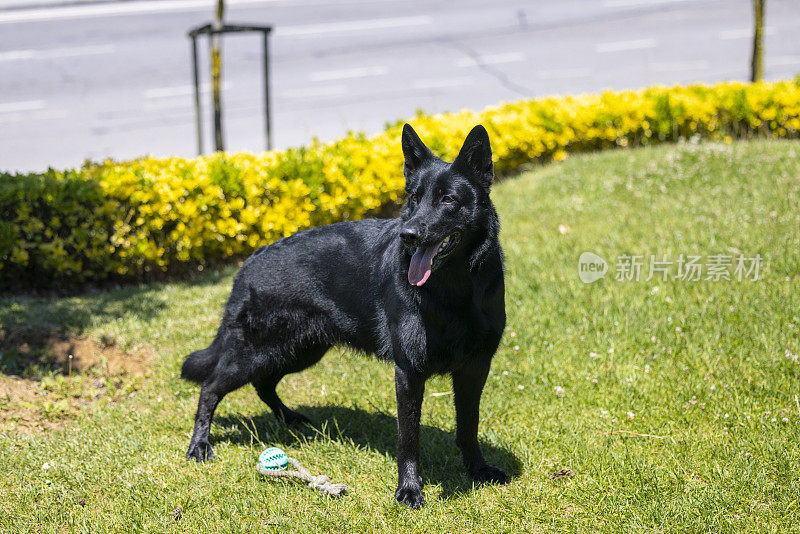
{"points": [[440, 459]]}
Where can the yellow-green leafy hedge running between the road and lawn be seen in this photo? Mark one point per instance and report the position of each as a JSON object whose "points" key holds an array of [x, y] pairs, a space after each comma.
{"points": [[140, 219]]}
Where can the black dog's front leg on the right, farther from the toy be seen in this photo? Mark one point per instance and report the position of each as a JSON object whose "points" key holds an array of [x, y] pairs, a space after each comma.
{"points": [[467, 388]]}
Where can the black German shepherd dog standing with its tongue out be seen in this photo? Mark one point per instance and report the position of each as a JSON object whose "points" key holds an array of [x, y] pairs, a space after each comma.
{"points": [[424, 291]]}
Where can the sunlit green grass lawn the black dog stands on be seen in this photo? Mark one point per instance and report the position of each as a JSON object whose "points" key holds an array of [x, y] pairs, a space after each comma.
{"points": [[673, 403]]}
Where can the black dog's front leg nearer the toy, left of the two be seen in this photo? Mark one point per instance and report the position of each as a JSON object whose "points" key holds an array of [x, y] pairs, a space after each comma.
{"points": [[409, 388]]}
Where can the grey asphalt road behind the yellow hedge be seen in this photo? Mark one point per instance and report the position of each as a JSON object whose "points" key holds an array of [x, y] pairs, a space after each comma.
{"points": [[112, 79]]}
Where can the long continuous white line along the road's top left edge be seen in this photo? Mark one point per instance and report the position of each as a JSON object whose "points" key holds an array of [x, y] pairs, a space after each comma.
{"points": [[108, 10]]}
